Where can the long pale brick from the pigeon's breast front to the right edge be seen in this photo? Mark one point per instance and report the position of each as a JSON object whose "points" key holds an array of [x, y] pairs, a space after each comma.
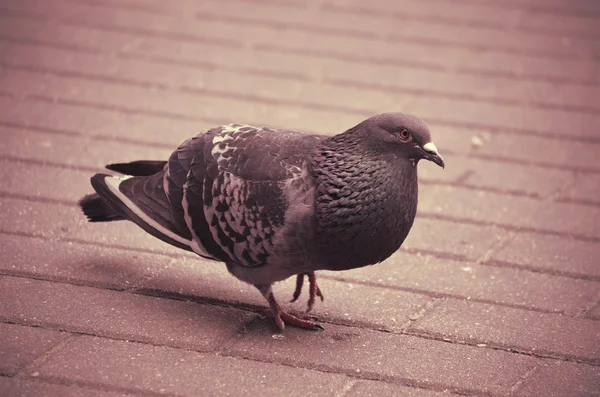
{"points": [[515, 212]]}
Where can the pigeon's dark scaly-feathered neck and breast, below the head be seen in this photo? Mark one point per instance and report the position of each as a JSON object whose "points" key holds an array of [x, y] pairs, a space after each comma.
{"points": [[366, 201]]}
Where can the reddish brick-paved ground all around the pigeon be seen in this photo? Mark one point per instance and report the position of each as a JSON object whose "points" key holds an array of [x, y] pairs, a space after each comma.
{"points": [[496, 291]]}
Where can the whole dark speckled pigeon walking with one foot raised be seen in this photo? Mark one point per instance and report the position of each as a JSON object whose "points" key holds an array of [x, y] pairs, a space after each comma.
{"points": [[273, 204]]}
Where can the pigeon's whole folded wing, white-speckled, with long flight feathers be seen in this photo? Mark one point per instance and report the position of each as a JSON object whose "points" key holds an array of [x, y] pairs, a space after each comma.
{"points": [[222, 194]]}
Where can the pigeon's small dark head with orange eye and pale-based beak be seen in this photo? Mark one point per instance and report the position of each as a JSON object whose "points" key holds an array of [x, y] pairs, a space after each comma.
{"points": [[404, 134]]}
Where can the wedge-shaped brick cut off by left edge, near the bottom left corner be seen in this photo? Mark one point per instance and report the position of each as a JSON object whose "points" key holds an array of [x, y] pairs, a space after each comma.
{"points": [[19, 346]]}
